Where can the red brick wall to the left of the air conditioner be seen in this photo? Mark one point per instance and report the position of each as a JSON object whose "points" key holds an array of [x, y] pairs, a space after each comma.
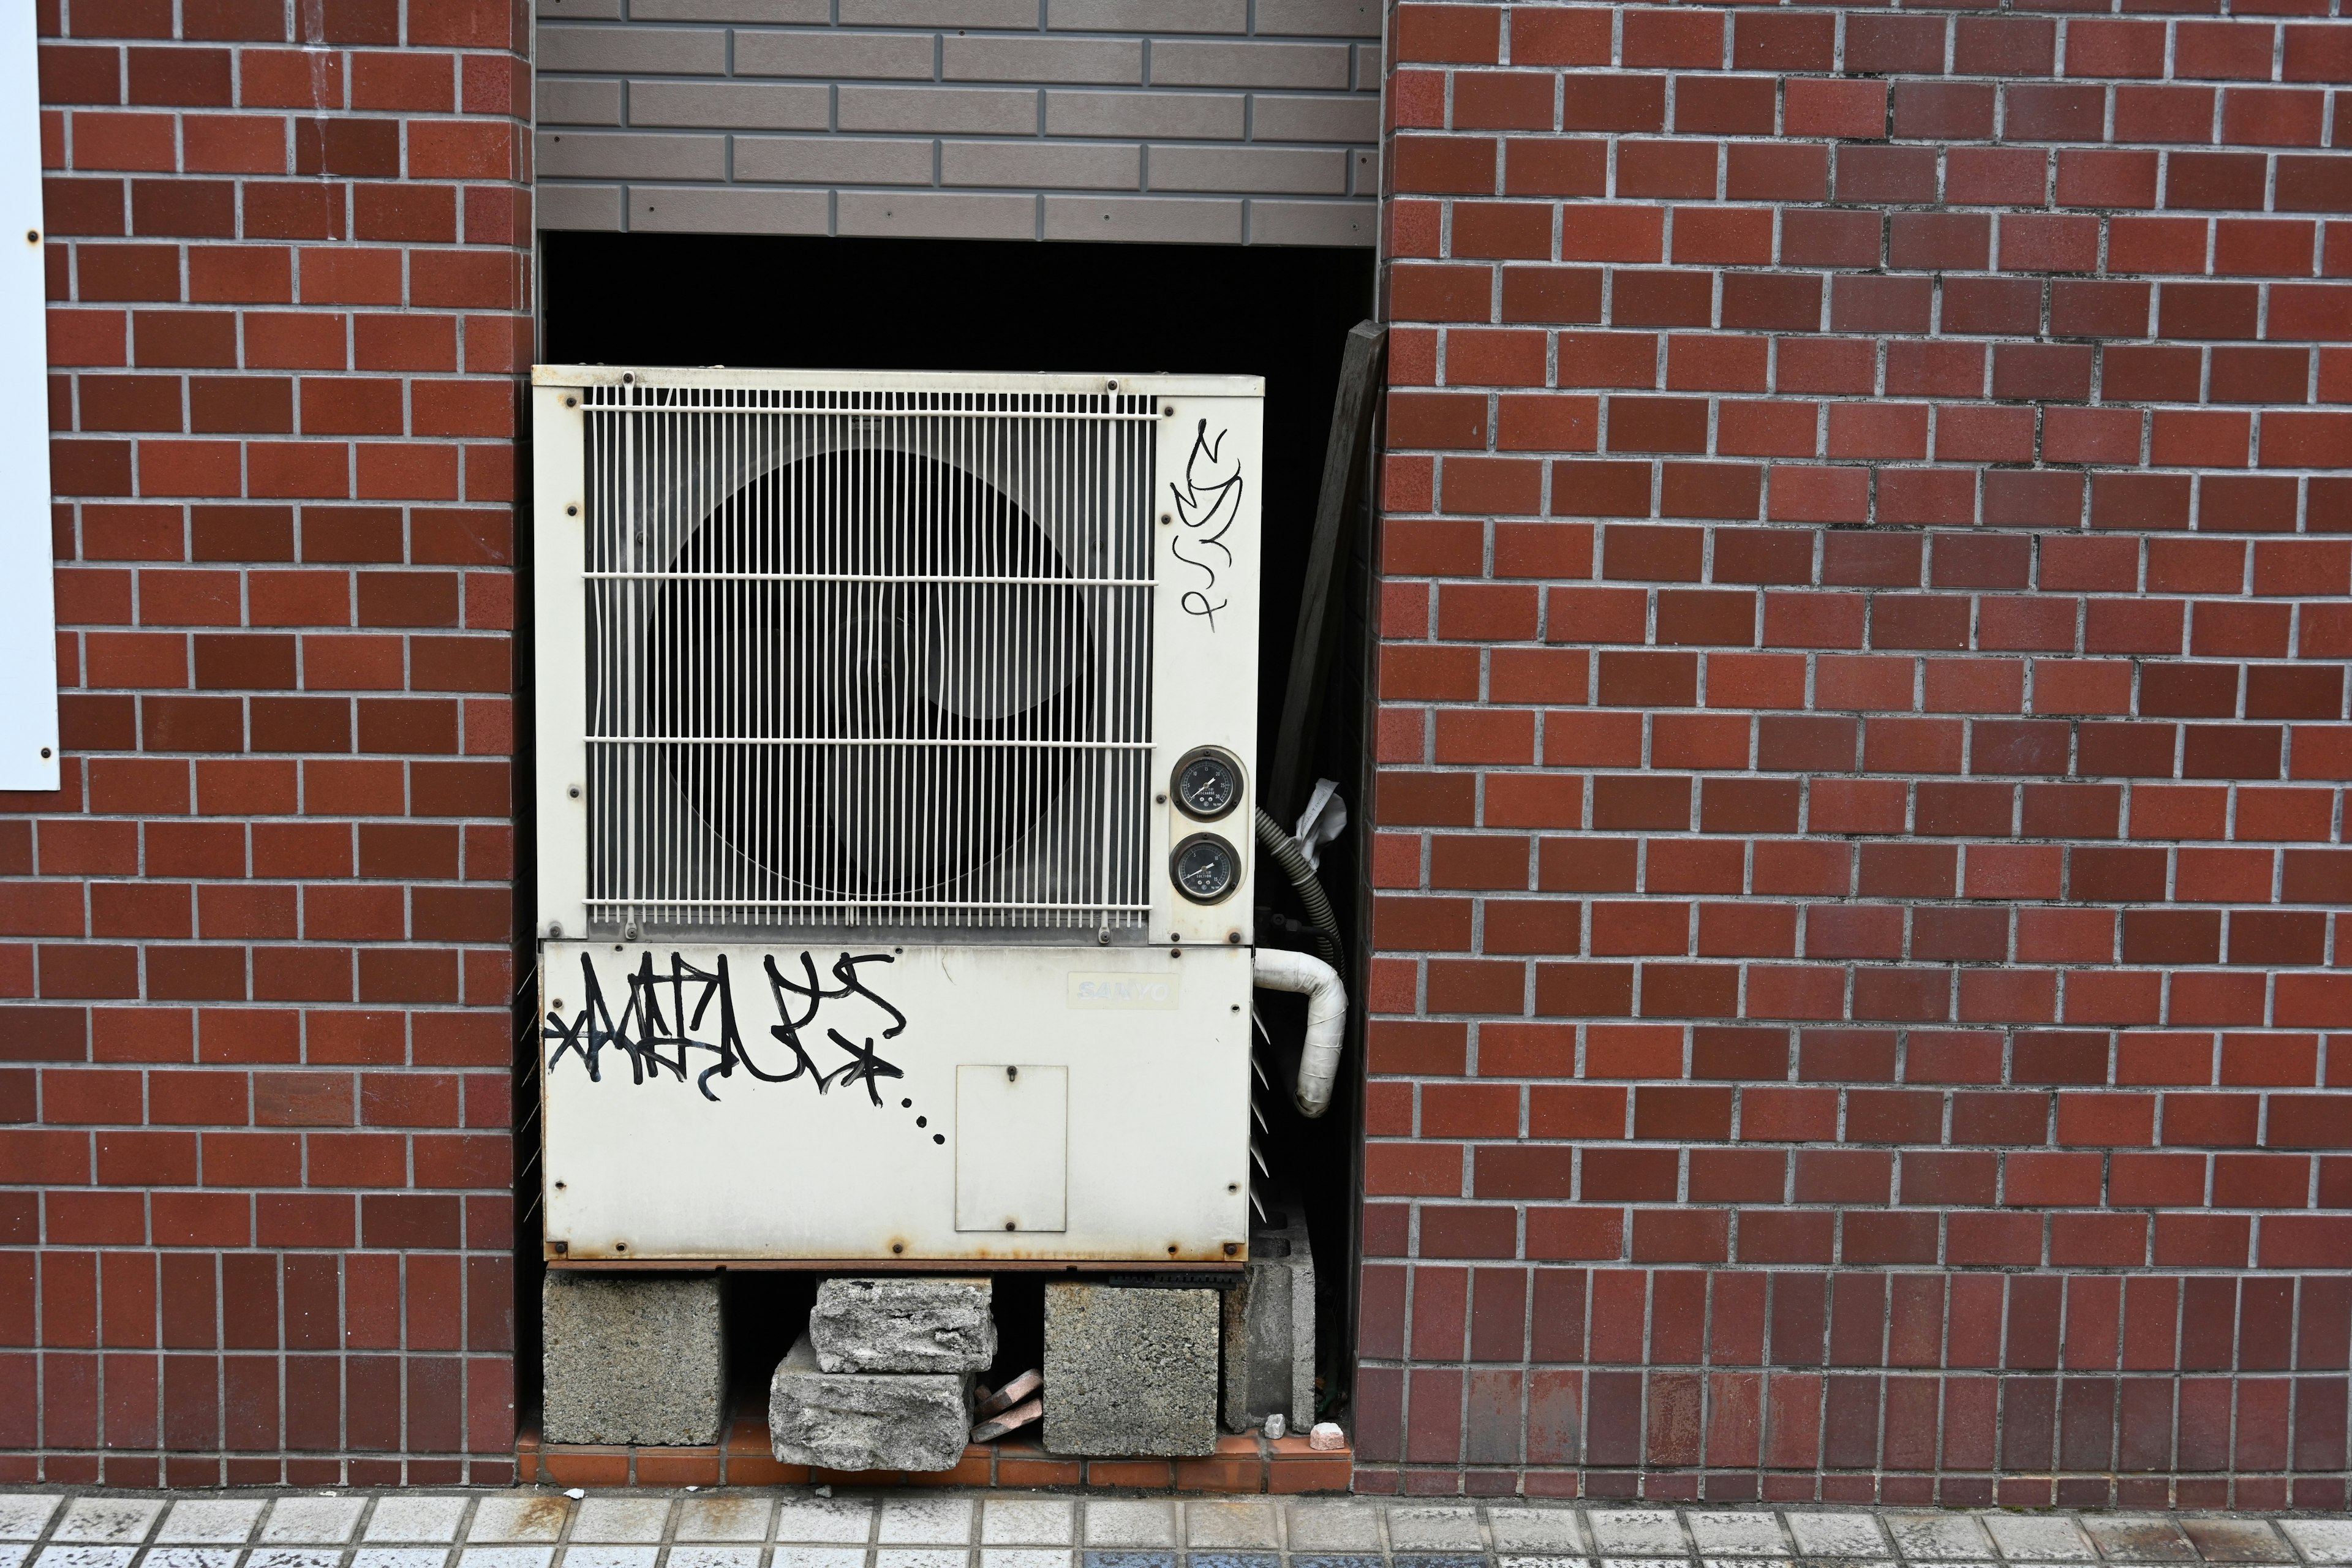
{"points": [[260, 946]]}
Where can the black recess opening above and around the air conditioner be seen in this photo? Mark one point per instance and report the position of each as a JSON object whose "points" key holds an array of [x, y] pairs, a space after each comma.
{"points": [[996, 307]]}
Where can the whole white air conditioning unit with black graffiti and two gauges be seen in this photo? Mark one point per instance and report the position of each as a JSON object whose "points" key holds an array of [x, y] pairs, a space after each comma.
{"points": [[895, 815]]}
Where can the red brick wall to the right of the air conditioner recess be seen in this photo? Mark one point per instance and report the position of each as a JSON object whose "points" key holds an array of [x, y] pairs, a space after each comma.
{"points": [[1862, 753]]}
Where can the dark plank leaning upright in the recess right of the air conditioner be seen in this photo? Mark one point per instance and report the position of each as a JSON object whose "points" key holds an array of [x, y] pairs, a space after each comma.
{"points": [[1337, 504]]}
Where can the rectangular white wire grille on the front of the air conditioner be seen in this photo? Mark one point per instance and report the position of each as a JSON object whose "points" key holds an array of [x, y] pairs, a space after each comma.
{"points": [[867, 659]]}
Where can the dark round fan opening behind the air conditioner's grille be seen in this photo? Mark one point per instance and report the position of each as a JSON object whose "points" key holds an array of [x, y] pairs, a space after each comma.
{"points": [[904, 638]]}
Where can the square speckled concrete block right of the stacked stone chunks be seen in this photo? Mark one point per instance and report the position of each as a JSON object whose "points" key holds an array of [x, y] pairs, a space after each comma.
{"points": [[1130, 1372]]}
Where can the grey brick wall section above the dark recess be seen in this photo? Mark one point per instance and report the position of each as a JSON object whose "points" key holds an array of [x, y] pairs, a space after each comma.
{"points": [[1149, 121]]}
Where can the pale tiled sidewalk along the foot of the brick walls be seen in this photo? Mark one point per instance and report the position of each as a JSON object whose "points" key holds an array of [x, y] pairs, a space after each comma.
{"points": [[801, 1529]]}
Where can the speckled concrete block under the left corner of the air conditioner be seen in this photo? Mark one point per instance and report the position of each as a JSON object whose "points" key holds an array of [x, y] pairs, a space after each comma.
{"points": [[632, 1358]]}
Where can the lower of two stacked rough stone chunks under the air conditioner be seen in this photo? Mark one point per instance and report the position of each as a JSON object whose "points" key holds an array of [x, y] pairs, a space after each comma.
{"points": [[867, 1421]]}
